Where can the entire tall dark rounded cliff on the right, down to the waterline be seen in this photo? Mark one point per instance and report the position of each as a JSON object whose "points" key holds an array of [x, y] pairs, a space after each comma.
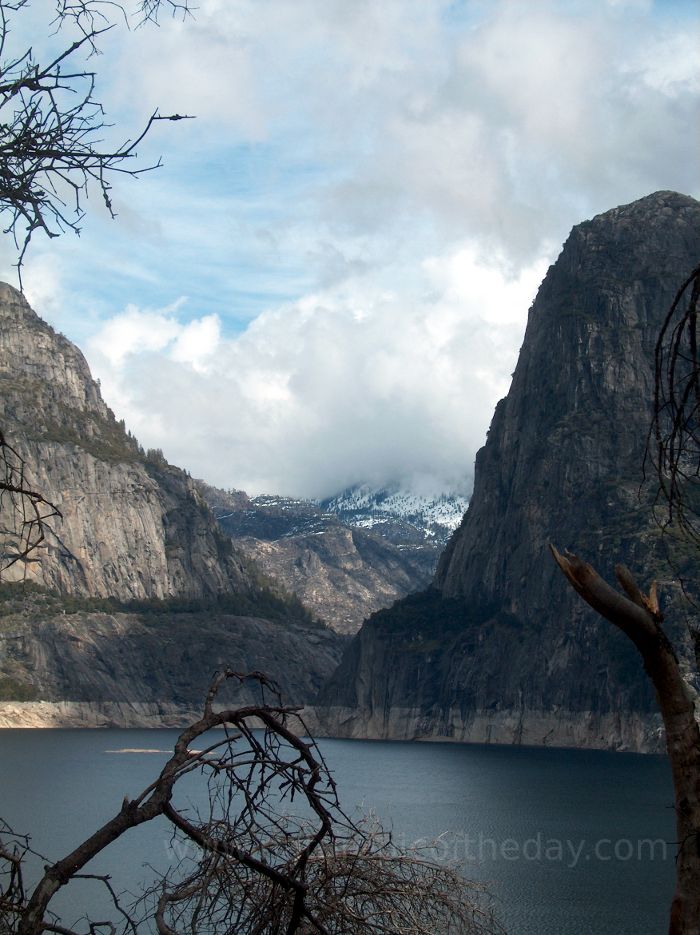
{"points": [[500, 648]]}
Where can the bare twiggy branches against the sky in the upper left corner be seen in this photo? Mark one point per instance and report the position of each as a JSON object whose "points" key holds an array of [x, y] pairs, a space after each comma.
{"points": [[51, 127]]}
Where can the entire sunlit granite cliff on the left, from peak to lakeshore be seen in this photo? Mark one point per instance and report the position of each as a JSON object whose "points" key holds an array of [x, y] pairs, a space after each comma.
{"points": [[136, 596]]}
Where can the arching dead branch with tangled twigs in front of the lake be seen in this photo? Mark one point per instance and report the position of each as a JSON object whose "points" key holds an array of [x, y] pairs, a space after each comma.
{"points": [[274, 852]]}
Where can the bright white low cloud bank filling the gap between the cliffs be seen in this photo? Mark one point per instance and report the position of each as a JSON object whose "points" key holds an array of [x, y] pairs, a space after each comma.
{"points": [[341, 387]]}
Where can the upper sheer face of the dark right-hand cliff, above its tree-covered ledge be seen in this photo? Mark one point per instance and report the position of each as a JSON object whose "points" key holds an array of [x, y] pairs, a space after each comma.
{"points": [[566, 446]]}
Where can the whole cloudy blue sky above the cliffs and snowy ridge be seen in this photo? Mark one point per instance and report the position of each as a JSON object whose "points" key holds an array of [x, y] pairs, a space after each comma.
{"points": [[327, 282]]}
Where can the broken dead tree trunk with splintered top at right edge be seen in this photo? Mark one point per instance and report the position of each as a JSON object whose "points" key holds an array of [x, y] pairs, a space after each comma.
{"points": [[638, 616]]}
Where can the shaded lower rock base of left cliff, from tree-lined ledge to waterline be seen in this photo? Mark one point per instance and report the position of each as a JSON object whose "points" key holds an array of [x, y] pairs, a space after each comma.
{"points": [[124, 668]]}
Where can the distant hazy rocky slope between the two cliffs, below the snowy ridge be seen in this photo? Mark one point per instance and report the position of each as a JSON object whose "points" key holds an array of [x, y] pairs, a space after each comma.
{"points": [[339, 573]]}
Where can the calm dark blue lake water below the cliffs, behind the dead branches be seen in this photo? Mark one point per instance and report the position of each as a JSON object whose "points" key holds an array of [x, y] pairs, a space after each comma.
{"points": [[571, 842]]}
